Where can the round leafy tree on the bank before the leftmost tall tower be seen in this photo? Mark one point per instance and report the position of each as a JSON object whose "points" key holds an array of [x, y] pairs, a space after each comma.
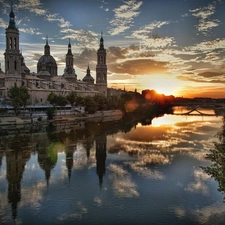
{"points": [[19, 97]]}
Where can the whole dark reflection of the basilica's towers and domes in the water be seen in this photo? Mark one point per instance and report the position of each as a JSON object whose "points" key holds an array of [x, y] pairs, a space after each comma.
{"points": [[47, 157]]}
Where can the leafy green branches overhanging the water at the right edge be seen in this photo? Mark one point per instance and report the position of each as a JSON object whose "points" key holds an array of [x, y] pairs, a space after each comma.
{"points": [[217, 157]]}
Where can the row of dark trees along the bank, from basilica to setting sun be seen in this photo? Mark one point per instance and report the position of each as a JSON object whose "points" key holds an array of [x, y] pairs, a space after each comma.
{"points": [[128, 102]]}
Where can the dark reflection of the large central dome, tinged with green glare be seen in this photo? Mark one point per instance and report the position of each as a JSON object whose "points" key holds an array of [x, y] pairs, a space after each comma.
{"points": [[47, 159]]}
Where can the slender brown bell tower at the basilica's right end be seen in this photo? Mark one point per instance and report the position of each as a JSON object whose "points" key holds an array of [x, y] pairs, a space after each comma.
{"points": [[101, 69]]}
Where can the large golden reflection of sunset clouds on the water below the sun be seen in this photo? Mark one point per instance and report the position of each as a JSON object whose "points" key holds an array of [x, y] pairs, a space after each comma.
{"points": [[170, 135]]}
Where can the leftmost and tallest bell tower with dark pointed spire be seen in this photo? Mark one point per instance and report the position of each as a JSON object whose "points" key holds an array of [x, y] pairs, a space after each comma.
{"points": [[12, 53]]}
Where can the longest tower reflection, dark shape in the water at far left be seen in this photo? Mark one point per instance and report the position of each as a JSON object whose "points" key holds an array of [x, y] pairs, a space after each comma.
{"points": [[16, 161]]}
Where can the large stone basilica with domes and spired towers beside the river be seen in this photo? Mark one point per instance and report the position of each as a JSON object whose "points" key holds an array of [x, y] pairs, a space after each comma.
{"points": [[47, 80]]}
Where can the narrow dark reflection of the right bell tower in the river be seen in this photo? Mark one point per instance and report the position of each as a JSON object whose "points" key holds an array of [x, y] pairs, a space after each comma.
{"points": [[100, 156]]}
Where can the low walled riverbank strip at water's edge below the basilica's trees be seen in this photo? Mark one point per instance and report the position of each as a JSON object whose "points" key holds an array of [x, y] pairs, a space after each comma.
{"points": [[109, 115]]}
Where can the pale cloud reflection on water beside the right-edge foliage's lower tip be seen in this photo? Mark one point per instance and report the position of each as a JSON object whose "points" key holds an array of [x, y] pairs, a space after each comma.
{"points": [[199, 186]]}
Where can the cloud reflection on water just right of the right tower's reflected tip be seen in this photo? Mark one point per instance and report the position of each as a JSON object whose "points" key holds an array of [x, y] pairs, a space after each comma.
{"points": [[122, 183]]}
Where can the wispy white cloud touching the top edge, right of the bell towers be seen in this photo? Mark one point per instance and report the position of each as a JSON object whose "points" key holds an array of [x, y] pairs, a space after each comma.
{"points": [[124, 16]]}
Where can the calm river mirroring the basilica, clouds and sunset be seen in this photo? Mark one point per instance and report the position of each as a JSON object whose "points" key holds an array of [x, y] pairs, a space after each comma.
{"points": [[111, 173]]}
